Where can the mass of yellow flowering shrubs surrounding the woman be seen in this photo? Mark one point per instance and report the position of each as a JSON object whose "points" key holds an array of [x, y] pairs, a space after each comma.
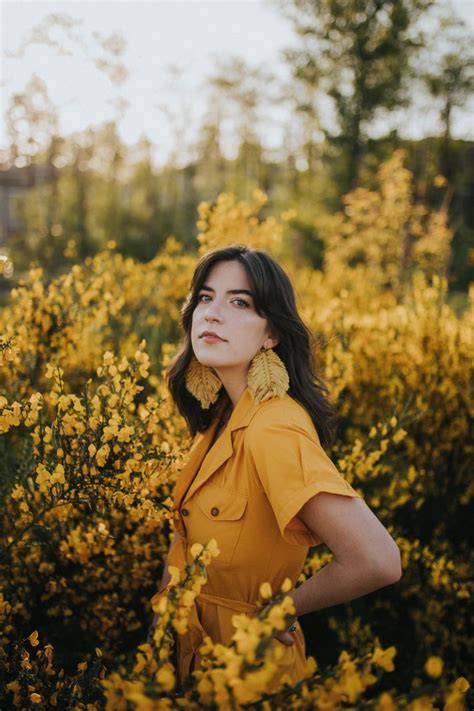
{"points": [[90, 448]]}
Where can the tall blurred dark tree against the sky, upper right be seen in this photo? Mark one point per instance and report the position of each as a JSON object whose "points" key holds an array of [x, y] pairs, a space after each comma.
{"points": [[357, 53]]}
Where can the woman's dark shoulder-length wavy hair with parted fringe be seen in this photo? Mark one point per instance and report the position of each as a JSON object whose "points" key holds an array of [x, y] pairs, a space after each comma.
{"points": [[274, 299]]}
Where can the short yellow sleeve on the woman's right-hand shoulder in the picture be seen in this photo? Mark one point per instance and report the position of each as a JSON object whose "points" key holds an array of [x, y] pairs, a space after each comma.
{"points": [[292, 467]]}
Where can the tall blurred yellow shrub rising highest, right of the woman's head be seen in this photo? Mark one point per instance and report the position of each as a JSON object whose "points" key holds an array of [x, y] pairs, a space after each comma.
{"points": [[387, 232]]}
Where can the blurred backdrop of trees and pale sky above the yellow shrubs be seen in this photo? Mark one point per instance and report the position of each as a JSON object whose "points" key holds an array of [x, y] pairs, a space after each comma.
{"points": [[119, 118]]}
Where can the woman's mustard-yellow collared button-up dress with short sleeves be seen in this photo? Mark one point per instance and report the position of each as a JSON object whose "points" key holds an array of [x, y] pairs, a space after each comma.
{"points": [[245, 490]]}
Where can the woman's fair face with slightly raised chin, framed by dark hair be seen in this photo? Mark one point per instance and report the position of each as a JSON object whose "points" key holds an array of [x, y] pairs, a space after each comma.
{"points": [[226, 308]]}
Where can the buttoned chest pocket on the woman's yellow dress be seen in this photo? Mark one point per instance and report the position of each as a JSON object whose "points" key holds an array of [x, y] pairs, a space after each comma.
{"points": [[221, 517]]}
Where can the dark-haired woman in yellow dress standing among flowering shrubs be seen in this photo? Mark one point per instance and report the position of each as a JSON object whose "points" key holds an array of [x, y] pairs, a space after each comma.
{"points": [[258, 479]]}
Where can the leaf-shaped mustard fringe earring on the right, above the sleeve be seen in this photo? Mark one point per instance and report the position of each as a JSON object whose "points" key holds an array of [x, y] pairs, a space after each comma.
{"points": [[267, 376]]}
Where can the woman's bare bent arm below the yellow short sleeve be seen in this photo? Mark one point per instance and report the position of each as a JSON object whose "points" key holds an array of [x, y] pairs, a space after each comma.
{"points": [[365, 555]]}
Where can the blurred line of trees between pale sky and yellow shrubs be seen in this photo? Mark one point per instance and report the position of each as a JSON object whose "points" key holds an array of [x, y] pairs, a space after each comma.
{"points": [[354, 69]]}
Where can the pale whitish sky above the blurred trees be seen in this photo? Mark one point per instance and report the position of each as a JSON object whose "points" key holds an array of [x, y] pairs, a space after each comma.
{"points": [[188, 35]]}
